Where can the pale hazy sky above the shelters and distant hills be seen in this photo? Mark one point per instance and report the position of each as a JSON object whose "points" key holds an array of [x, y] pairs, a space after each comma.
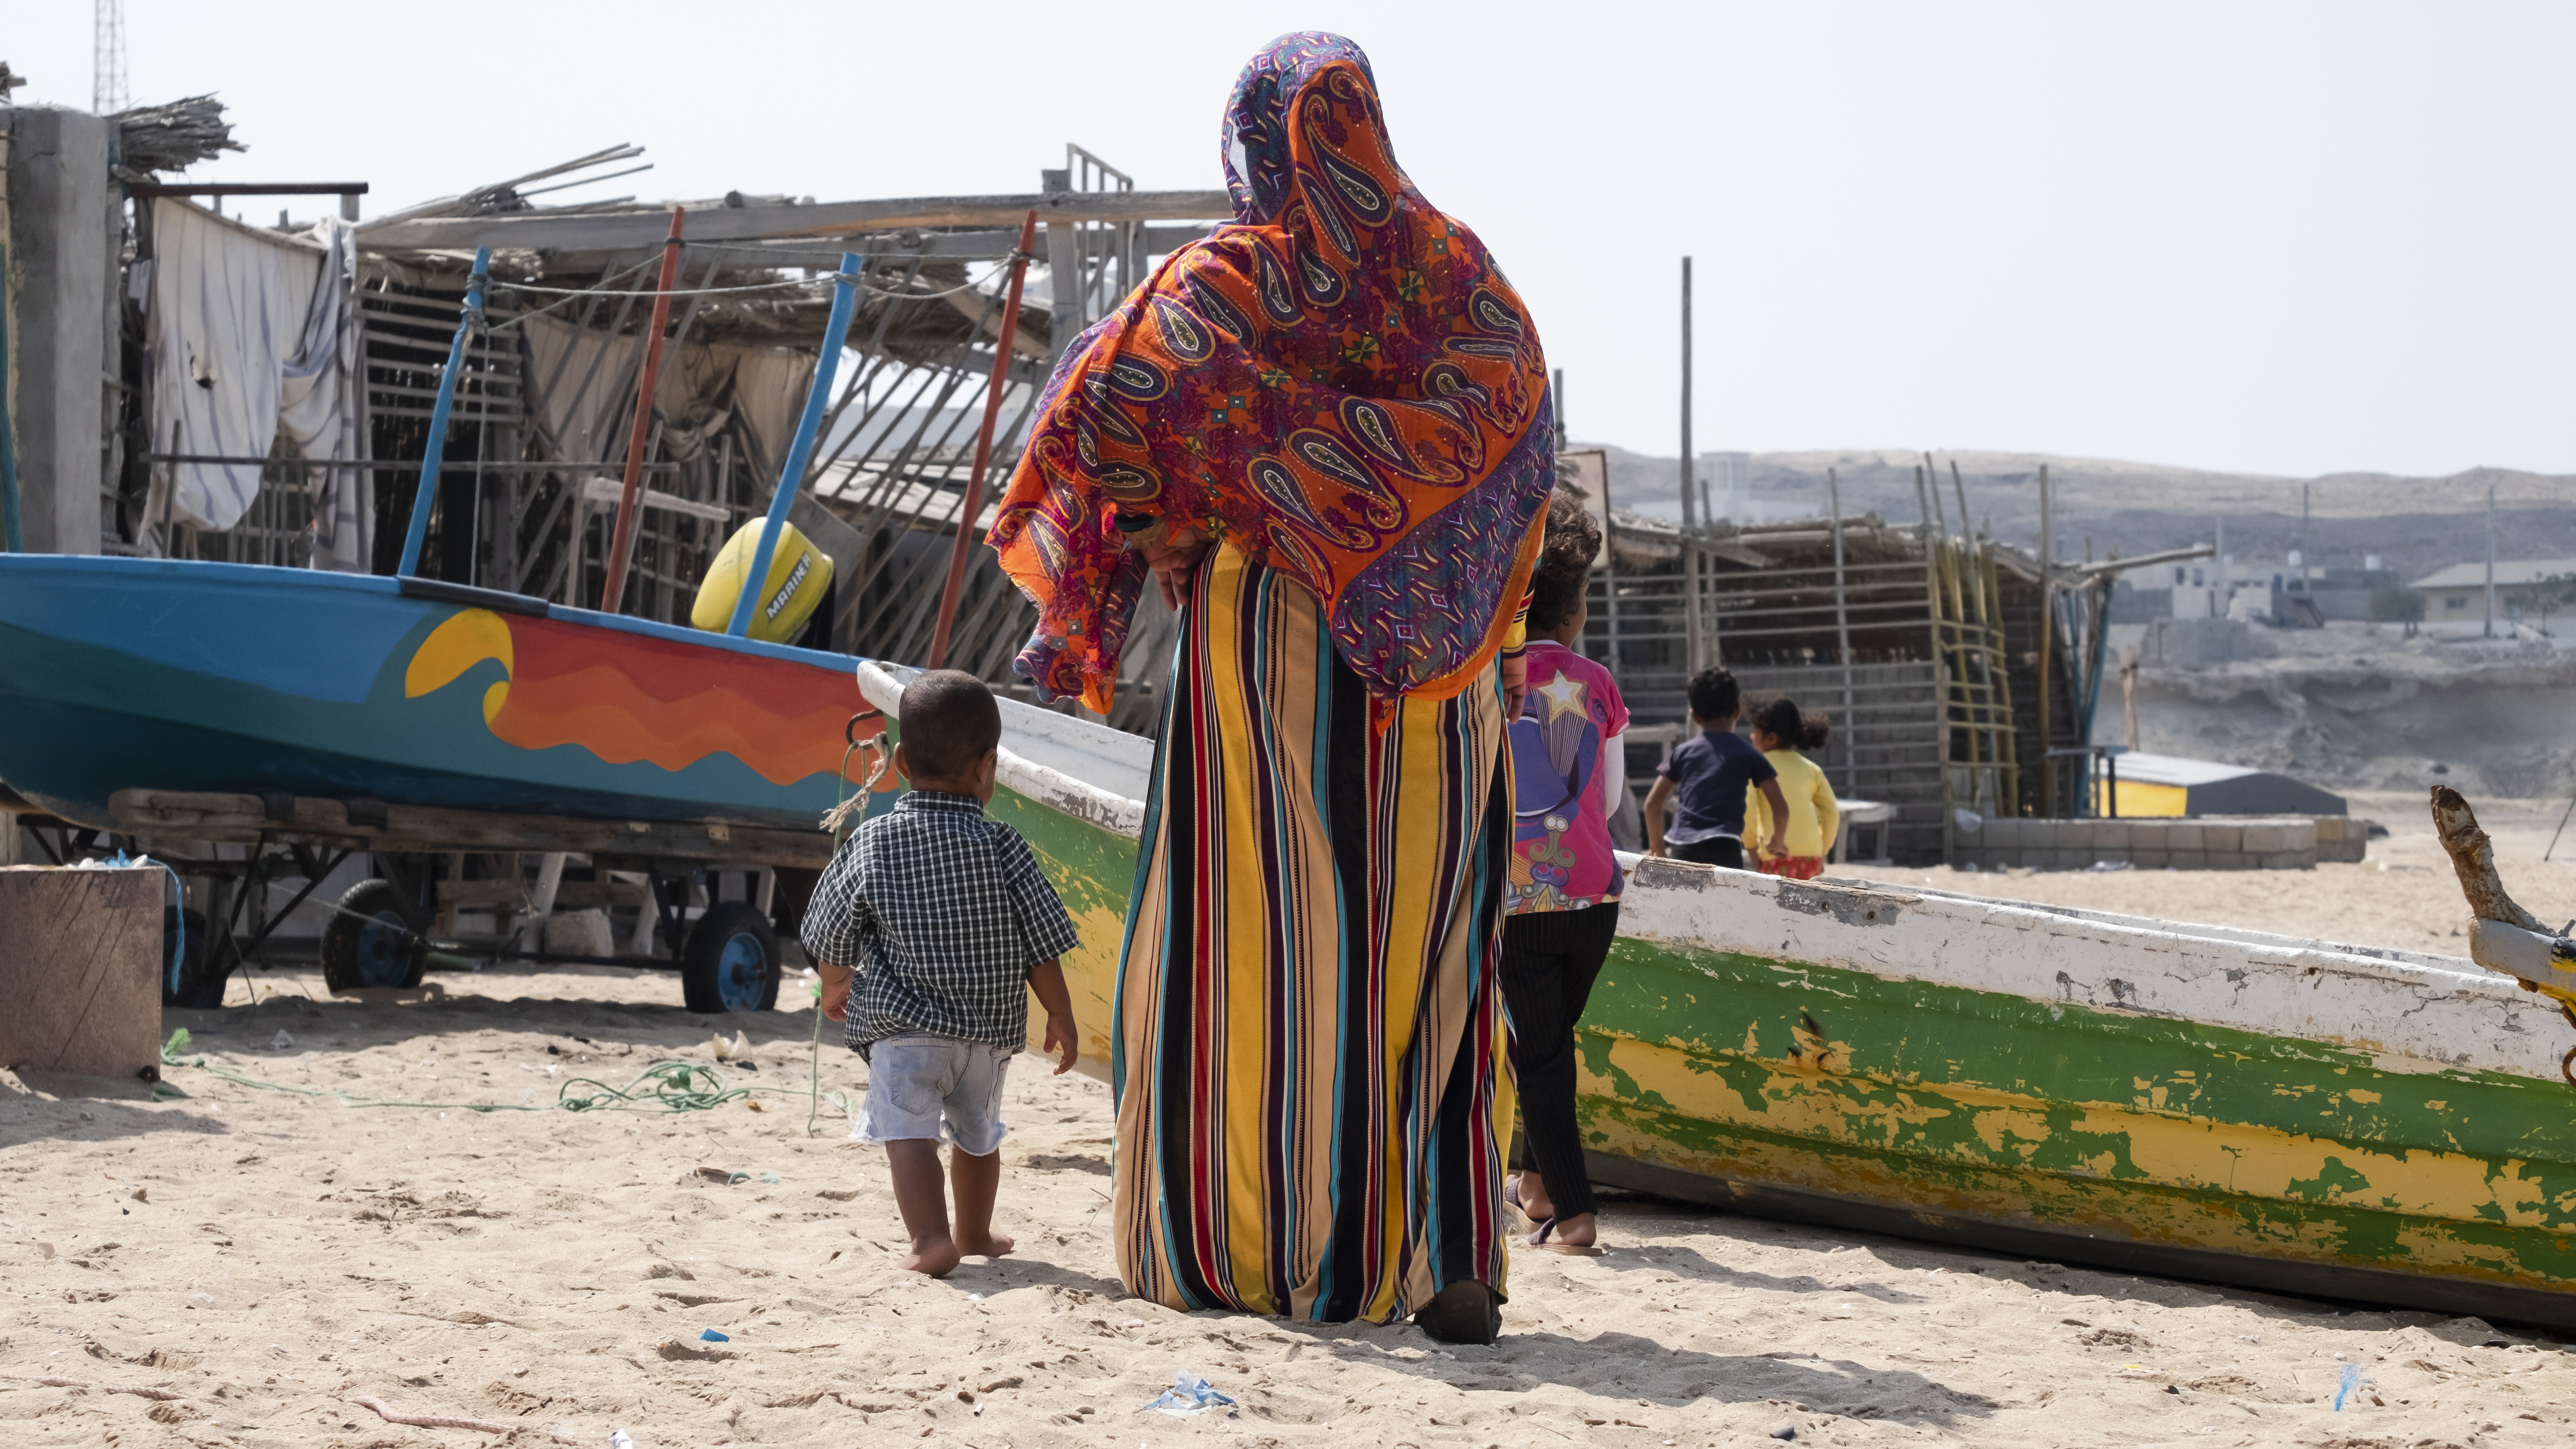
{"points": [[2253, 238]]}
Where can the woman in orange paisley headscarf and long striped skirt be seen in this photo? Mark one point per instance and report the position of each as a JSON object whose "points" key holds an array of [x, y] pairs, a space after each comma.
{"points": [[1325, 431]]}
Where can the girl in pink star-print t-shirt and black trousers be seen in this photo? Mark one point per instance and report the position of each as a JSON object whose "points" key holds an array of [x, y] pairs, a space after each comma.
{"points": [[1570, 771]]}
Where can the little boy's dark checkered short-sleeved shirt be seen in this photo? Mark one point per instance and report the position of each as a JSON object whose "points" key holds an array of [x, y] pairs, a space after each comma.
{"points": [[942, 912]]}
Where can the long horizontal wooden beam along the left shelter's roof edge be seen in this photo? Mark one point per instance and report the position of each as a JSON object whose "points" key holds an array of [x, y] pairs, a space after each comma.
{"points": [[620, 230]]}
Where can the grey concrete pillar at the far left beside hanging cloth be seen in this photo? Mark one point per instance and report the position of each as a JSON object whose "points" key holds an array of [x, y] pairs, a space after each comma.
{"points": [[63, 251]]}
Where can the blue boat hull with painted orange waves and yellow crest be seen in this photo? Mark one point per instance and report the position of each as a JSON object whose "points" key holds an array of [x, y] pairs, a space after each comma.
{"points": [[236, 678]]}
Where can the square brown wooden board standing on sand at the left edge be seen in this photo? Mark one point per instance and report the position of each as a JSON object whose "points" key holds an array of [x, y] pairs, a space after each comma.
{"points": [[81, 956]]}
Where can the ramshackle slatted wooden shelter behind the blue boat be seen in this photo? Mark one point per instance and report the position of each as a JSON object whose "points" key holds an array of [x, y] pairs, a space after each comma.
{"points": [[545, 411]]}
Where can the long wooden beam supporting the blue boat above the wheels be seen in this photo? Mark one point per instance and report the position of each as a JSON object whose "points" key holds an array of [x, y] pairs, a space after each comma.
{"points": [[213, 817]]}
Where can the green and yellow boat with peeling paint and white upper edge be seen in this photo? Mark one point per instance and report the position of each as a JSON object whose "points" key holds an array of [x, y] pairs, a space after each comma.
{"points": [[2183, 1100]]}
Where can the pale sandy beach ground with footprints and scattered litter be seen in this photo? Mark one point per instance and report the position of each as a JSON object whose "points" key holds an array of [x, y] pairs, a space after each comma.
{"points": [[269, 1260]]}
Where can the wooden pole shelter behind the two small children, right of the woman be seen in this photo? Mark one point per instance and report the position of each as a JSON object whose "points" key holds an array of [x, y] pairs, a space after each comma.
{"points": [[1926, 650]]}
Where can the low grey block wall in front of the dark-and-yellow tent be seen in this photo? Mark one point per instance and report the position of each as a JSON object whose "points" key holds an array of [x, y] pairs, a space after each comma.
{"points": [[2163, 843]]}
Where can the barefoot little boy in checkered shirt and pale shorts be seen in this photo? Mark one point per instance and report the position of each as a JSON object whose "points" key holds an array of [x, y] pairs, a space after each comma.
{"points": [[949, 925]]}
